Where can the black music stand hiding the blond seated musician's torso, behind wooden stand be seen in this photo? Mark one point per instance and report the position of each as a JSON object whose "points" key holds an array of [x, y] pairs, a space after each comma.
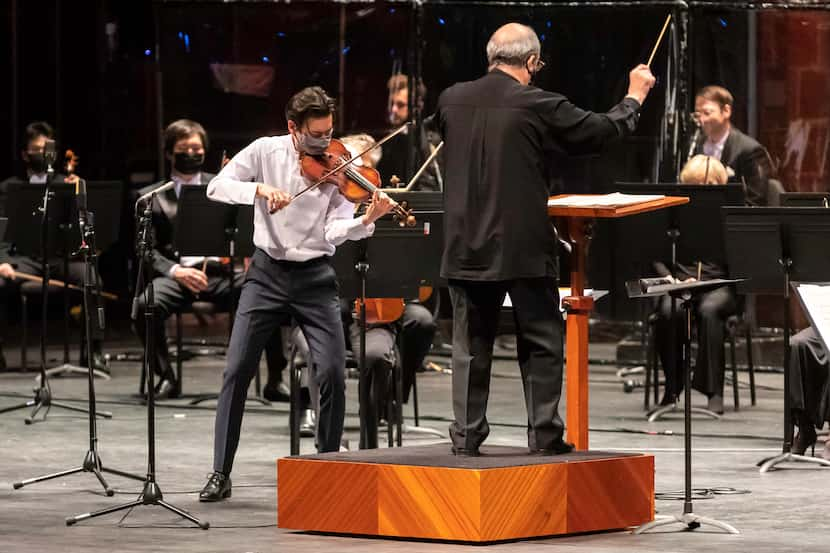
{"points": [[704, 242]]}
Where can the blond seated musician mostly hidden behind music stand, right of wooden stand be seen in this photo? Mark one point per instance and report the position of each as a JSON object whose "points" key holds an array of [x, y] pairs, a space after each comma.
{"points": [[710, 310]]}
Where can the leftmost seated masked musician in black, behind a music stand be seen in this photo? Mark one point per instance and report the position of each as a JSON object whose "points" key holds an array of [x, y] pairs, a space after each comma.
{"points": [[14, 263]]}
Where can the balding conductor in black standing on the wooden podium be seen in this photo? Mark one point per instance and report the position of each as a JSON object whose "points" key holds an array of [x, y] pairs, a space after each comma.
{"points": [[499, 132]]}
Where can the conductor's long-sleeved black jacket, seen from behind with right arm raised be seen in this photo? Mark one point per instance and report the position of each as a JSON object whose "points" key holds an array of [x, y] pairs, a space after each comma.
{"points": [[499, 136]]}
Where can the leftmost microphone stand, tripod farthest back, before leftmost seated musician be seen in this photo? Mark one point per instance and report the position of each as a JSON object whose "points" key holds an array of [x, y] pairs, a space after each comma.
{"points": [[43, 399]]}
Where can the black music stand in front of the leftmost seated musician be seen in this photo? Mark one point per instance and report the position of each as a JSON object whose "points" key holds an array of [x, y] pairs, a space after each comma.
{"points": [[24, 200]]}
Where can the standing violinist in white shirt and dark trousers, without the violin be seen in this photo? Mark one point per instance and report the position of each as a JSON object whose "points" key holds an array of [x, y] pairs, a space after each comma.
{"points": [[290, 274]]}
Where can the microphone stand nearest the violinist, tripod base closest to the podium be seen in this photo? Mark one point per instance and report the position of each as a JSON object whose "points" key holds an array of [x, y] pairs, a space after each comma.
{"points": [[151, 493]]}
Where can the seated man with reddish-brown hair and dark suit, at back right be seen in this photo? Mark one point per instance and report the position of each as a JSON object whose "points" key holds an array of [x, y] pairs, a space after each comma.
{"points": [[746, 160]]}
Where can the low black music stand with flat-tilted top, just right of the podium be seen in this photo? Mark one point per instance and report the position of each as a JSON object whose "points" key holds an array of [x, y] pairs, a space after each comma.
{"points": [[685, 293]]}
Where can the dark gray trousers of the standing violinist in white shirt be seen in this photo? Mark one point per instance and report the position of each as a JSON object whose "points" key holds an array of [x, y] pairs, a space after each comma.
{"points": [[273, 292]]}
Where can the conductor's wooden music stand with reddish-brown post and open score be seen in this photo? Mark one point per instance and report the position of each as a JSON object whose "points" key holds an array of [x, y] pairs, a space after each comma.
{"points": [[580, 218]]}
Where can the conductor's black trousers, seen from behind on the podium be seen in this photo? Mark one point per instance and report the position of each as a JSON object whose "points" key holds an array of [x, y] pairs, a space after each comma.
{"points": [[539, 331]]}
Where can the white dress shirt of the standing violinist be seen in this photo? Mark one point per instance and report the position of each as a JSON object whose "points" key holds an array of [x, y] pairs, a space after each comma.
{"points": [[310, 226]]}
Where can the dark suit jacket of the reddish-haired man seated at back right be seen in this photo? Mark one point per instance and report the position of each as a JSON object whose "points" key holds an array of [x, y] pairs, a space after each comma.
{"points": [[750, 163]]}
